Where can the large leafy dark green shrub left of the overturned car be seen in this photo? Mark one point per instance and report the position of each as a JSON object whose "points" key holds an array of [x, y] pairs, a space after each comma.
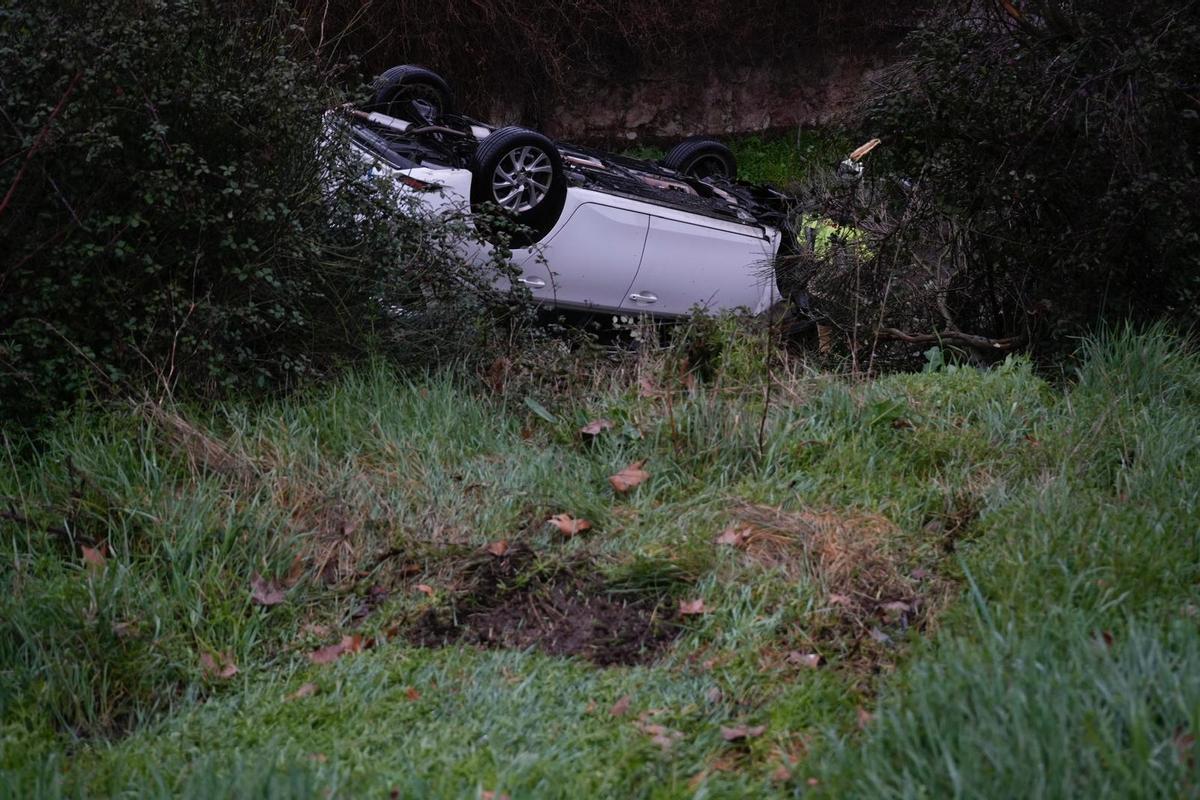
{"points": [[176, 213]]}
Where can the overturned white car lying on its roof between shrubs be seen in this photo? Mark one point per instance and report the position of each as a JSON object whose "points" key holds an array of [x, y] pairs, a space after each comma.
{"points": [[596, 232]]}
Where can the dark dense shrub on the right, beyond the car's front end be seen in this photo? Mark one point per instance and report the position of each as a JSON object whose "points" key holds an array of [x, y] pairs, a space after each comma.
{"points": [[1060, 141]]}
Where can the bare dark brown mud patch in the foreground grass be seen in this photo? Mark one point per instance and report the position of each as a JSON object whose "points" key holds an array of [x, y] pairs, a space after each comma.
{"points": [[566, 612]]}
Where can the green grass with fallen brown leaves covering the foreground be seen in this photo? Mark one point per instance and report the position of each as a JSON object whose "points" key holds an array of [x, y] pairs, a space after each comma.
{"points": [[1041, 539]]}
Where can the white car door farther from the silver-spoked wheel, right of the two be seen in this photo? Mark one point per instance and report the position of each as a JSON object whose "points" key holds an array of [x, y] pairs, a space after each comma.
{"points": [[704, 263]]}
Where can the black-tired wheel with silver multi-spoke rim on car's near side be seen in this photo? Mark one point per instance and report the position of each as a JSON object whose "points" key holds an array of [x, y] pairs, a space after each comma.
{"points": [[533, 210]]}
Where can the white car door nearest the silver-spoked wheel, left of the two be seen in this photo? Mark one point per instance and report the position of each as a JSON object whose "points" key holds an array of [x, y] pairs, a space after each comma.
{"points": [[591, 260]]}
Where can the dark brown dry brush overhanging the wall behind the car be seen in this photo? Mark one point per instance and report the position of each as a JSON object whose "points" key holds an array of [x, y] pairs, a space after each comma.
{"points": [[531, 53]]}
